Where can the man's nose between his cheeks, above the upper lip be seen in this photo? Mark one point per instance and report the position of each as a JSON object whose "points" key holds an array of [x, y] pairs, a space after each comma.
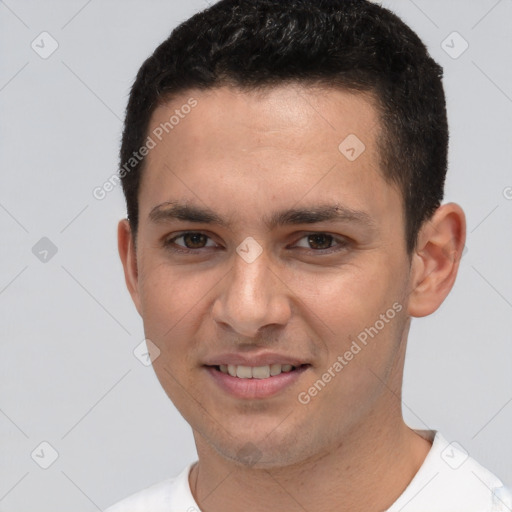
{"points": [[253, 297]]}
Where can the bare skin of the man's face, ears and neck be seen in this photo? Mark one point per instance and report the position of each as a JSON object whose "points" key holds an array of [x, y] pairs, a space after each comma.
{"points": [[245, 155]]}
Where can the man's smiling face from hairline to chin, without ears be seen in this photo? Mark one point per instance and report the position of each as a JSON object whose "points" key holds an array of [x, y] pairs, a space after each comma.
{"points": [[263, 243]]}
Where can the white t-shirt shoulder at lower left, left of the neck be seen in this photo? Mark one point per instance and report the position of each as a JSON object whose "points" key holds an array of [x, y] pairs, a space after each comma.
{"points": [[166, 496]]}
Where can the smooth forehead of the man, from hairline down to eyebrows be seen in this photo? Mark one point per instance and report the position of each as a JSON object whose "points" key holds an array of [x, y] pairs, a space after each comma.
{"points": [[277, 145]]}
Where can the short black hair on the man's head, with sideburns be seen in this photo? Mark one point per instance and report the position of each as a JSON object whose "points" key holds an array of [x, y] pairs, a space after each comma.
{"points": [[355, 45]]}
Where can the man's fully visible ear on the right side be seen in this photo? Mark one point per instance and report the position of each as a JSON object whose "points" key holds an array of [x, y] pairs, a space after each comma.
{"points": [[435, 261]]}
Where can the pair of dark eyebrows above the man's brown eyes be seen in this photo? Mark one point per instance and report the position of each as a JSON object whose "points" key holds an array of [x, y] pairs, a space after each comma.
{"points": [[173, 210]]}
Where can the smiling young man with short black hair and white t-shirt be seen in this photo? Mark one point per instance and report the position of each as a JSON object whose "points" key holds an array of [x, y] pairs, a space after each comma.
{"points": [[283, 164]]}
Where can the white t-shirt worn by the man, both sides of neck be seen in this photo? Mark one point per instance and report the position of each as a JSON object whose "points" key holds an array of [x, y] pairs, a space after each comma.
{"points": [[447, 481]]}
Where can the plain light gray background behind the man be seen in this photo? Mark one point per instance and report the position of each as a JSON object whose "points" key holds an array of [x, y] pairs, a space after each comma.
{"points": [[68, 326]]}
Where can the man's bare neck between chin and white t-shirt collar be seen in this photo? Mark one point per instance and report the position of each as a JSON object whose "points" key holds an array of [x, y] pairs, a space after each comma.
{"points": [[368, 470]]}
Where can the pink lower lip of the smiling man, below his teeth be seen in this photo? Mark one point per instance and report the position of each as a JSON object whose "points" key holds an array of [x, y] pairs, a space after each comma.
{"points": [[255, 388]]}
